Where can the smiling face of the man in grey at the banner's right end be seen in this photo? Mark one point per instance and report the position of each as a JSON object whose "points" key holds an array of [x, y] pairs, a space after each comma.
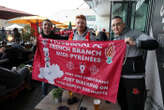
{"points": [[117, 26]]}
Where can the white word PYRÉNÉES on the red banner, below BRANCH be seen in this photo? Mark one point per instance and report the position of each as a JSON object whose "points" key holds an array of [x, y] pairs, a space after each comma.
{"points": [[85, 58]]}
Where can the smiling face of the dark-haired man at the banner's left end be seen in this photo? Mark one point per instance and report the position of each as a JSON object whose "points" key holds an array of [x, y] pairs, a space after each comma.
{"points": [[46, 26]]}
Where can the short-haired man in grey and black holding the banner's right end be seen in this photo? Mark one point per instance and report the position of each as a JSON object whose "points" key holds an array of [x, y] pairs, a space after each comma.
{"points": [[132, 93]]}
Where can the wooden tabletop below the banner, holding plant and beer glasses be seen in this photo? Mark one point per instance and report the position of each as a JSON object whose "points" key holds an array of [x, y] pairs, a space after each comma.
{"points": [[48, 103]]}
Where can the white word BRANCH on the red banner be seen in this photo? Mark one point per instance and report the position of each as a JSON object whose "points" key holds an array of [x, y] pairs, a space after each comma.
{"points": [[87, 52]]}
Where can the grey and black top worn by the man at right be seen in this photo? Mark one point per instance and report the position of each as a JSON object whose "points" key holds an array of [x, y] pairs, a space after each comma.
{"points": [[134, 65]]}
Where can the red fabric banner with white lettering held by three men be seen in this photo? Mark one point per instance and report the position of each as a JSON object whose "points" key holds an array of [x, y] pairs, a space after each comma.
{"points": [[91, 68]]}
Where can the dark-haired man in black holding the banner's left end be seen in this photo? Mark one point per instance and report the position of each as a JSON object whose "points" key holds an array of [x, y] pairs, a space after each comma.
{"points": [[47, 32]]}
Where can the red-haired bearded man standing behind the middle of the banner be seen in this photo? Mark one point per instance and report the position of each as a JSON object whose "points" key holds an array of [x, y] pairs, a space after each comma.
{"points": [[81, 32]]}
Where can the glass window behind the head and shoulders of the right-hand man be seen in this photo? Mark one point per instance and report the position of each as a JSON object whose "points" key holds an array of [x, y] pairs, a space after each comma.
{"points": [[127, 10]]}
